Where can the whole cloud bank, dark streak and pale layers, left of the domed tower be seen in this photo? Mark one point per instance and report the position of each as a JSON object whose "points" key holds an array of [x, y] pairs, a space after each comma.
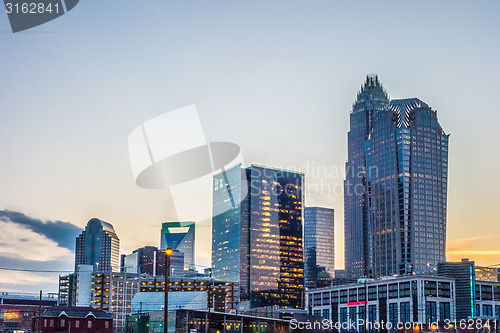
{"points": [[33, 244]]}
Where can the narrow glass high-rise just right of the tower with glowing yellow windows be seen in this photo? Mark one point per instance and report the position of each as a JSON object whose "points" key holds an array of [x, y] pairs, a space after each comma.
{"points": [[319, 240]]}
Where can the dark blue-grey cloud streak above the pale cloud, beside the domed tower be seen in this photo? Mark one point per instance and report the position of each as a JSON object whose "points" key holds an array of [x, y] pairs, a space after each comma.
{"points": [[63, 233]]}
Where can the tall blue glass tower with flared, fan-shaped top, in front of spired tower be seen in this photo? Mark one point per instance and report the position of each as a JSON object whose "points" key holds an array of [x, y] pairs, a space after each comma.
{"points": [[409, 151]]}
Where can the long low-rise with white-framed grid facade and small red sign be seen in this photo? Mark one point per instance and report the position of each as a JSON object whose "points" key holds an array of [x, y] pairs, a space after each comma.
{"points": [[404, 299]]}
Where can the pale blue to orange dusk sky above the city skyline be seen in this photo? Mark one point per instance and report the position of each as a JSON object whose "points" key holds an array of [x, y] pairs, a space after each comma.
{"points": [[278, 78]]}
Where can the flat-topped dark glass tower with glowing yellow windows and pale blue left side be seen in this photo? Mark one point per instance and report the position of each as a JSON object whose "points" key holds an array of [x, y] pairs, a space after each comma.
{"points": [[257, 234]]}
